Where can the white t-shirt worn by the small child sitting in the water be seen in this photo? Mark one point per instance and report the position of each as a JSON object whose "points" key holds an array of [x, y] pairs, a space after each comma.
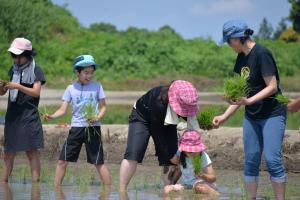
{"points": [[188, 174]]}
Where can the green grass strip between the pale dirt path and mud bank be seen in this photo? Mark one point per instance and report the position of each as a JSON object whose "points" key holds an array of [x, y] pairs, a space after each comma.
{"points": [[118, 114]]}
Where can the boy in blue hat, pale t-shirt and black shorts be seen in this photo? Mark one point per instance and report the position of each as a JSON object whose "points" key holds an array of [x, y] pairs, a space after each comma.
{"points": [[86, 97]]}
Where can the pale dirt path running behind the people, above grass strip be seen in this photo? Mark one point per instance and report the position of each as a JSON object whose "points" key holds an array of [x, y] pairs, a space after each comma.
{"points": [[53, 97]]}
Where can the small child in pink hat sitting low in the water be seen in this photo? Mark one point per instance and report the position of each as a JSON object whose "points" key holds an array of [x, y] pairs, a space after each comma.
{"points": [[191, 145]]}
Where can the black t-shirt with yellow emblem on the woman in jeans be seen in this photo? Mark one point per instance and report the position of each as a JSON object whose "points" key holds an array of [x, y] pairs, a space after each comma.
{"points": [[256, 65]]}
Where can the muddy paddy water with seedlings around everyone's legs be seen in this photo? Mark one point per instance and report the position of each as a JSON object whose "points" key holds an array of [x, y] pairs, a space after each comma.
{"points": [[82, 182]]}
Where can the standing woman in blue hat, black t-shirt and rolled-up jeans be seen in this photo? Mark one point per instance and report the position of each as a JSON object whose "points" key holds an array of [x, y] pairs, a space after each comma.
{"points": [[265, 117]]}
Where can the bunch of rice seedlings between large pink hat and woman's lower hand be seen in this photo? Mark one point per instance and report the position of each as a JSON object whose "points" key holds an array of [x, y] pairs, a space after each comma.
{"points": [[205, 118]]}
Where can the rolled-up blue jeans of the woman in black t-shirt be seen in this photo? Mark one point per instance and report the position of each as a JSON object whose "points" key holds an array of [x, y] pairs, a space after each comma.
{"points": [[265, 137]]}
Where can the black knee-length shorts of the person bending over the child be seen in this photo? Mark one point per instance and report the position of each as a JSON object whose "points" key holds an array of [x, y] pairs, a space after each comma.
{"points": [[139, 131]]}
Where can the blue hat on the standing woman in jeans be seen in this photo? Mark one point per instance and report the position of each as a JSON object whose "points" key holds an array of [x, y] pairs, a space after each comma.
{"points": [[233, 29]]}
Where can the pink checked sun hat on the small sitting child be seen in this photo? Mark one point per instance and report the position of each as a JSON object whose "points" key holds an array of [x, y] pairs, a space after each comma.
{"points": [[191, 141]]}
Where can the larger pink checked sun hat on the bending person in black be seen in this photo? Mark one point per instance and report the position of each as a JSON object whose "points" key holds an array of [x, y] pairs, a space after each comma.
{"points": [[183, 98]]}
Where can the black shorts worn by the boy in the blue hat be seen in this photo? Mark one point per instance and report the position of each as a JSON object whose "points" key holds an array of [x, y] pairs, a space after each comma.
{"points": [[91, 136]]}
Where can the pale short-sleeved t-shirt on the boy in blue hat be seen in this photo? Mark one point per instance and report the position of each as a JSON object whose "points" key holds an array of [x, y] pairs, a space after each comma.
{"points": [[80, 96]]}
